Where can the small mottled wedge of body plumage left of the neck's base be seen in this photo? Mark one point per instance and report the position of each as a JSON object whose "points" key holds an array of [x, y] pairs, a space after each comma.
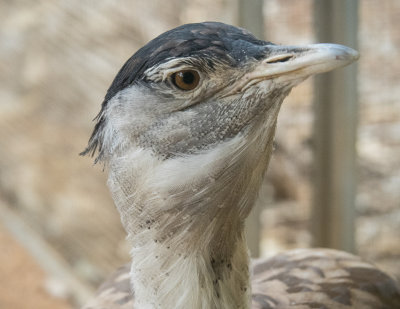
{"points": [[114, 293]]}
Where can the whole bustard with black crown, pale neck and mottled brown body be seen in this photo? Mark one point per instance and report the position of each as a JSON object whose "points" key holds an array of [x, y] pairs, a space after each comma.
{"points": [[186, 131]]}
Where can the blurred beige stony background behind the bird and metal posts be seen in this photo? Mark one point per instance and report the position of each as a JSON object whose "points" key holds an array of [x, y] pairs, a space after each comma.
{"points": [[60, 234]]}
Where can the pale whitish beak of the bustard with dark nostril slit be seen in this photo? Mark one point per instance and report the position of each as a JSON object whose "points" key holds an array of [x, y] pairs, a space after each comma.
{"points": [[285, 63]]}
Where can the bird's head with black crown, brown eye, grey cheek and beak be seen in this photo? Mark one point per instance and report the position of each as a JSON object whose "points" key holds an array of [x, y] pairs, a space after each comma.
{"points": [[199, 85]]}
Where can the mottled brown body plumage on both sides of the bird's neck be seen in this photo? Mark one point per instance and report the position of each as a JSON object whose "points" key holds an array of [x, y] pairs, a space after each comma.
{"points": [[298, 279]]}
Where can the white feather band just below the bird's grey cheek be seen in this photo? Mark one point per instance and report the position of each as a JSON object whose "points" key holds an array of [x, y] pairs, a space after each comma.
{"points": [[139, 176]]}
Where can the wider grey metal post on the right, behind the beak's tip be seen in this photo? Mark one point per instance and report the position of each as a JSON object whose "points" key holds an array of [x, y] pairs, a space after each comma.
{"points": [[335, 131]]}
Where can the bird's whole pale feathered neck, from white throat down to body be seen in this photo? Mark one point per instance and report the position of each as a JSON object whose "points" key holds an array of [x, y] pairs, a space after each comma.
{"points": [[185, 219]]}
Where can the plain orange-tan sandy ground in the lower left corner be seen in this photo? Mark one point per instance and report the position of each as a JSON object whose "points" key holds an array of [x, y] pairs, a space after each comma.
{"points": [[22, 281]]}
